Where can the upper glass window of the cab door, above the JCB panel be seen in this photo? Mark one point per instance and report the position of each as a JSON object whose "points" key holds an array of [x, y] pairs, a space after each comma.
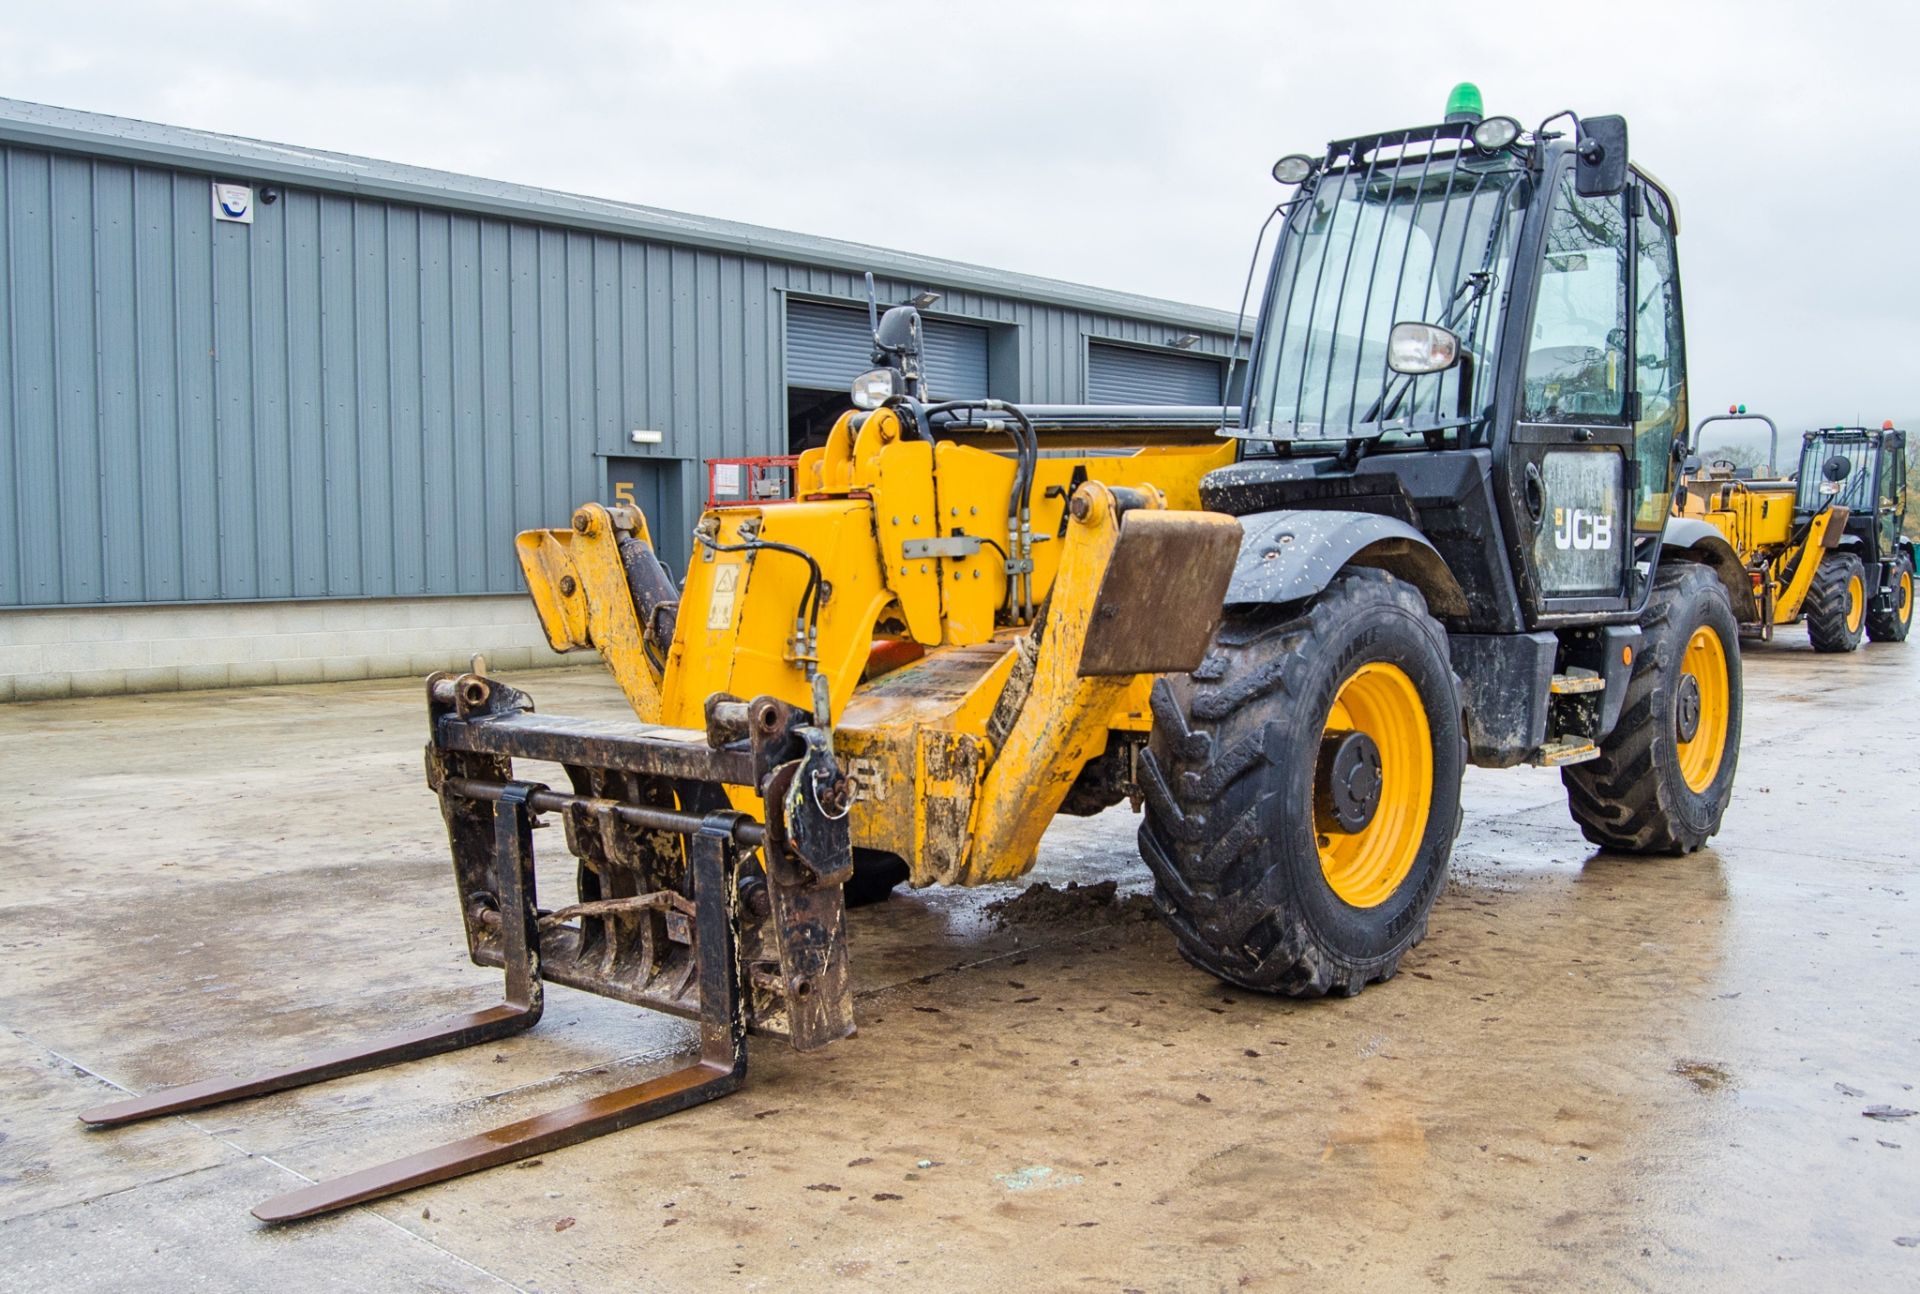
{"points": [[1575, 360]]}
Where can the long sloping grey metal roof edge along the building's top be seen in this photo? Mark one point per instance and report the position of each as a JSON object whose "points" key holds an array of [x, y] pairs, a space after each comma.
{"points": [[228, 156]]}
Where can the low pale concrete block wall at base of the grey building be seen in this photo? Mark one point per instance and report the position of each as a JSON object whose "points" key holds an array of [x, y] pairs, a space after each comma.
{"points": [[120, 650]]}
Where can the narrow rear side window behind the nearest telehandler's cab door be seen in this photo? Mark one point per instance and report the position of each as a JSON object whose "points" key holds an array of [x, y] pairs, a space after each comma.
{"points": [[1660, 358]]}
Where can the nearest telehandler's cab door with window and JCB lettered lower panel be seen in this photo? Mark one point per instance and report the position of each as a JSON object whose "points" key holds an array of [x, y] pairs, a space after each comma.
{"points": [[1573, 439]]}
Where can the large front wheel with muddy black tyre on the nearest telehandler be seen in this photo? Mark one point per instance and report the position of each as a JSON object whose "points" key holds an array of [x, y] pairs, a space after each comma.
{"points": [[1303, 790]]}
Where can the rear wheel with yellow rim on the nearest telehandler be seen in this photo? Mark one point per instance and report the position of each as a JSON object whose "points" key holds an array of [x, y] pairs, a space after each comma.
{"points": [[1666, 773]]}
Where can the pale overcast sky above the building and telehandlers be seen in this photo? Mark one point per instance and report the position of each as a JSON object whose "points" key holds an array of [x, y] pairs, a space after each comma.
{"points": [[1118, 145]]}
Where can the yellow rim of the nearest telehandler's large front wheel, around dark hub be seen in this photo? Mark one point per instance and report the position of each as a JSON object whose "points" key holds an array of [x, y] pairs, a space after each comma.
{"points": [[1366, 867]]}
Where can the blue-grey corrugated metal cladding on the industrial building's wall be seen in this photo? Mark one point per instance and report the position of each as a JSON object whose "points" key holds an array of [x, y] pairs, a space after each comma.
{"points": [[368, 396]]}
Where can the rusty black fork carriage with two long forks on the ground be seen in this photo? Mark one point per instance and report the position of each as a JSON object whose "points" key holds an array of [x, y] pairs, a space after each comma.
{"points": [[684, 905]]}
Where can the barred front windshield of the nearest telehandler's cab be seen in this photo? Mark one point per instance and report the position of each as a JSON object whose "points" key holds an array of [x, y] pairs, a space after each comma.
{"points": [[1399, 239]]}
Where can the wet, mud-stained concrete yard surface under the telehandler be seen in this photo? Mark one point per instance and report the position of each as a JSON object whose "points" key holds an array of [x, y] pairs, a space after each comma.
{"points": [[1595, 1074]]}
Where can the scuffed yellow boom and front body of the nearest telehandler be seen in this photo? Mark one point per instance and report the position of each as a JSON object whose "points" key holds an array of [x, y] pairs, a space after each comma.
{"points": [[965, 700]]}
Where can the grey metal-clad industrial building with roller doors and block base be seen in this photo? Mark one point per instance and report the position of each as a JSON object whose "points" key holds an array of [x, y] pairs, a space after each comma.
{"points": [[274, 414]]}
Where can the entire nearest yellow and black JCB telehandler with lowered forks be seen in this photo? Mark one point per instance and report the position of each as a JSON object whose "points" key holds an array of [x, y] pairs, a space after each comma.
{"points": [[1433, 535]]}
